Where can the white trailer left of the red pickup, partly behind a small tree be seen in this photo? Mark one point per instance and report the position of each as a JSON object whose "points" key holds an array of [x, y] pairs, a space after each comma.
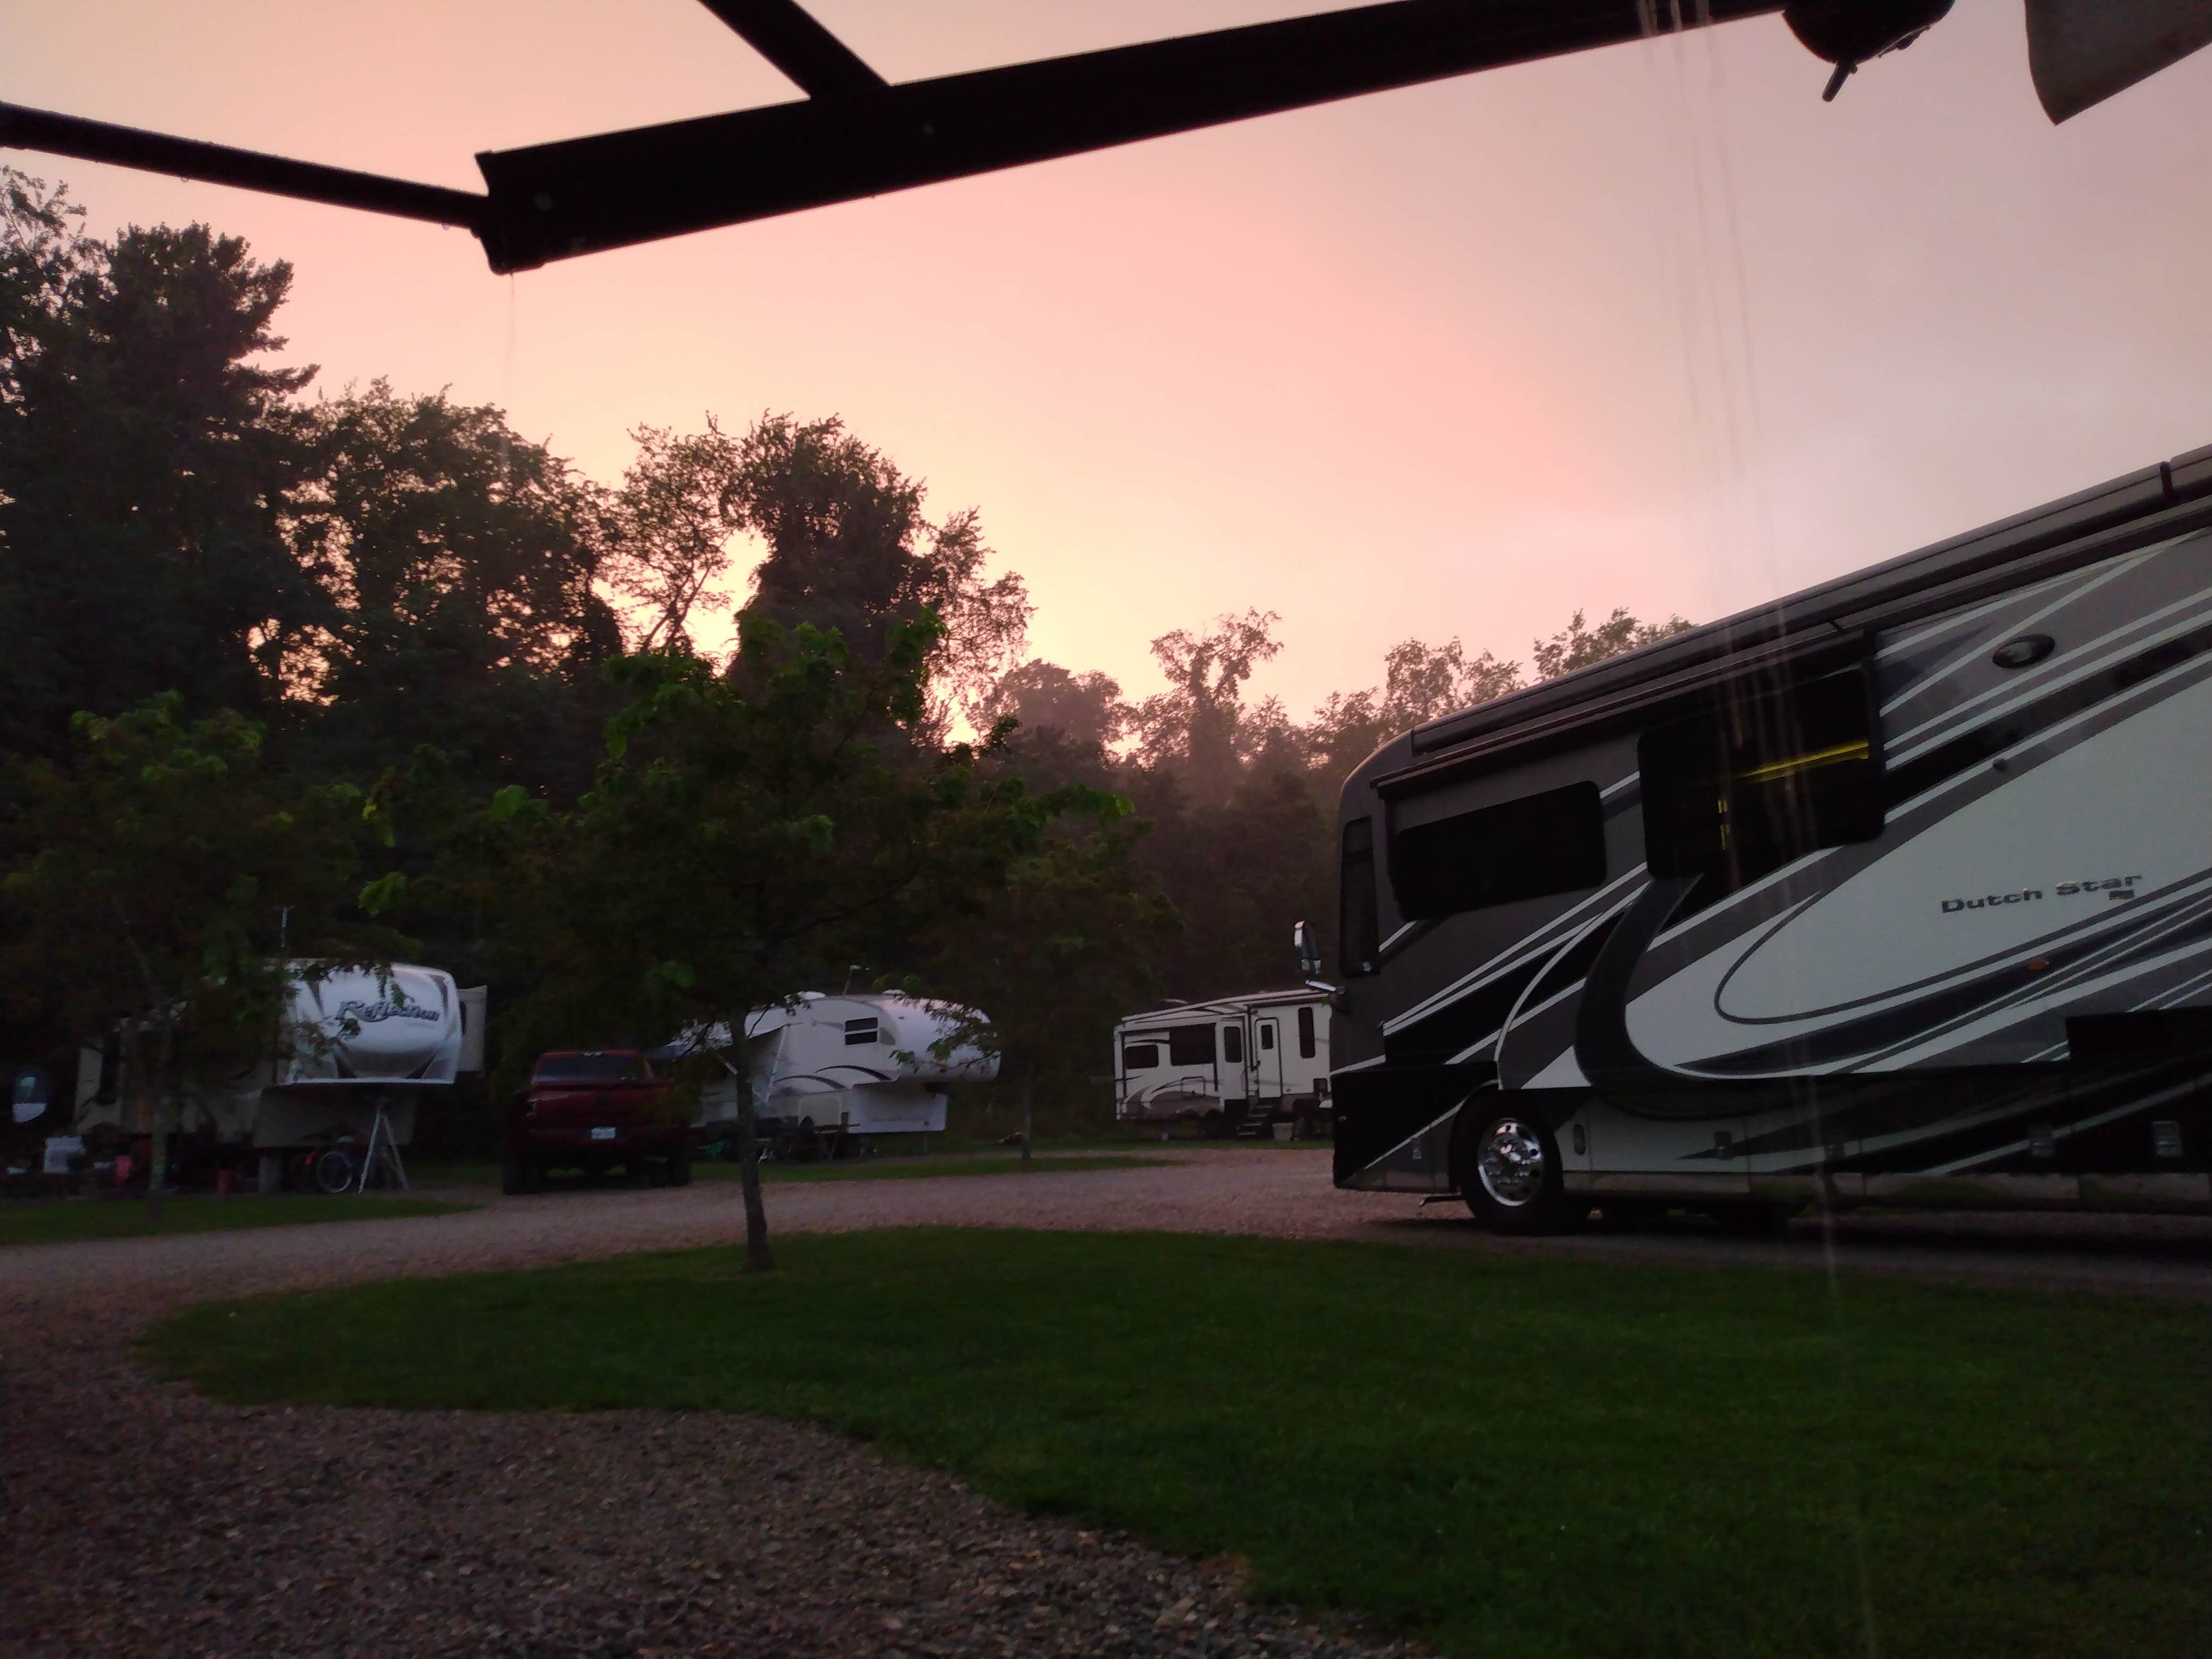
{"points": [[351, 1043]]}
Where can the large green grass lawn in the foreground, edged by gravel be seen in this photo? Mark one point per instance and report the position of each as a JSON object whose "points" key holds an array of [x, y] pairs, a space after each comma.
{"points": [[1503, 1457]]}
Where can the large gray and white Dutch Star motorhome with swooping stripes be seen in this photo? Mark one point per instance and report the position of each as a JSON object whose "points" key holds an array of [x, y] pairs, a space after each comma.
{"points": [[1899, 890]]}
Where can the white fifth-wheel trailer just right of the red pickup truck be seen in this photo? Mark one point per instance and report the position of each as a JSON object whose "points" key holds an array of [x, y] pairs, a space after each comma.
{"points": [[826, 1070]]}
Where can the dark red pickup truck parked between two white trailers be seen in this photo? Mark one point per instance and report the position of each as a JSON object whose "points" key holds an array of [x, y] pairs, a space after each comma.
{"points": [[592, 1112]]}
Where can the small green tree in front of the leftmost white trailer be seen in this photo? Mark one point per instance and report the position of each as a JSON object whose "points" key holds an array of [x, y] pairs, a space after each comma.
{"points": [[165, 884]]}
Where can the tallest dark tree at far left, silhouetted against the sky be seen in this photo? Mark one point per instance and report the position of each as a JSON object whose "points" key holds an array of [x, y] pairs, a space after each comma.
{"points": [[145, 463]]}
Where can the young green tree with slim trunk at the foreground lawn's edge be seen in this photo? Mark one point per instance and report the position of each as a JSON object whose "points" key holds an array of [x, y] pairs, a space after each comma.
{"points": [[744, 842]]}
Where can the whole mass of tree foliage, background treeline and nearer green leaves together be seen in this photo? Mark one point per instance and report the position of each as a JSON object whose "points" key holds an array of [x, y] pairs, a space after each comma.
{"points": [[399, 585]]}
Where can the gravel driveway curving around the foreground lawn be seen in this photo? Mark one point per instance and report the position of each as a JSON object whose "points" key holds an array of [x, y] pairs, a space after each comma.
{"points": [[143, 1521]]}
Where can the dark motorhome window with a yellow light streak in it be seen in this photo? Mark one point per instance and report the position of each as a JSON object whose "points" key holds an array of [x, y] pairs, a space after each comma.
{"points": [[1757, 782]]}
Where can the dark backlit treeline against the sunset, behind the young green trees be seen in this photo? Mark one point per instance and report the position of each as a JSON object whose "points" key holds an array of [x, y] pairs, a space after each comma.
{"points": [[382, 576]]}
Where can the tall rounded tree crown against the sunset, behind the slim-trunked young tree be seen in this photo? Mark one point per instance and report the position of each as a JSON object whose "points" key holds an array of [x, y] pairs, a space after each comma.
{"points": [[851, 552]]}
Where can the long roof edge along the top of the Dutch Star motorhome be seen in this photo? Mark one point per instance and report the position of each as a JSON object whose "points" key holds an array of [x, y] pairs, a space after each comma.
{"points": [[2103, 508]]}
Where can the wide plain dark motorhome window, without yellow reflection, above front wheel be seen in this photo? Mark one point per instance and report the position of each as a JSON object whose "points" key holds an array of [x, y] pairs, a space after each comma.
{"points": [[1543, 844]]}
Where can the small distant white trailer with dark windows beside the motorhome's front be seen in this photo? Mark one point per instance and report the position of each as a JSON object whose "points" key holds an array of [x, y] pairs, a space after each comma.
{"points": [[1233, 1065]]}
